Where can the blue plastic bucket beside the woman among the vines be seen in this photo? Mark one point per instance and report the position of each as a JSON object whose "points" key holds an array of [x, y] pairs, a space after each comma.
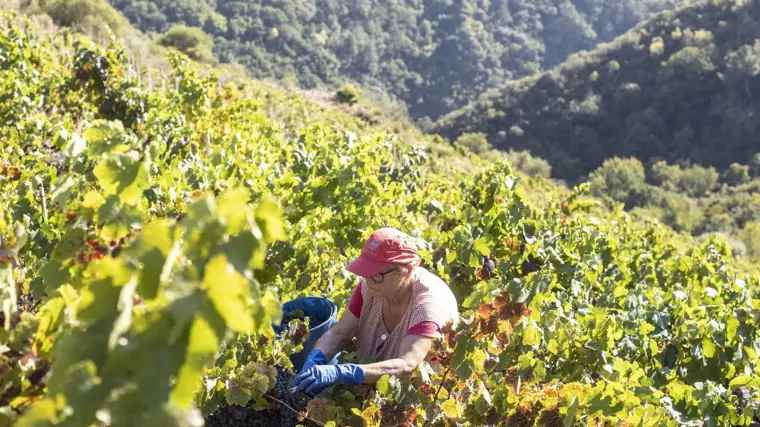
{"points": [[322, 313]]}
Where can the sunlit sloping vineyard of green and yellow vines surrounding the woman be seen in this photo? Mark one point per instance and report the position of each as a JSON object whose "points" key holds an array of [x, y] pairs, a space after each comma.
{"points": [[149, 233]]}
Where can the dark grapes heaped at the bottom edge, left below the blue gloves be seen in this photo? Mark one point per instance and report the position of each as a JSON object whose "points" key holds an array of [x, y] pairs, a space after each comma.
{"points": [[277, 416]]}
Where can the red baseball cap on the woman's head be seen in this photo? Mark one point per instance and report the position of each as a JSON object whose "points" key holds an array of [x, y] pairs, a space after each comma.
{"points": [[384, 246]]}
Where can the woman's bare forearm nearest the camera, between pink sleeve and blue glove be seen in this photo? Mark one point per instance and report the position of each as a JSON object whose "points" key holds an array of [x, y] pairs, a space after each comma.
{"points": [[414, 349]]}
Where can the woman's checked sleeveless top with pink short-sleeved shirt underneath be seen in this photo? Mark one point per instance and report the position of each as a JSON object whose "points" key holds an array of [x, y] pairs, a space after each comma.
{"points": [[432, 305]]}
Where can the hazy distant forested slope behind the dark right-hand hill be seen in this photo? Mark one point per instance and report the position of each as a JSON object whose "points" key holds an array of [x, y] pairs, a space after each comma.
{"points": [[432, 55]]}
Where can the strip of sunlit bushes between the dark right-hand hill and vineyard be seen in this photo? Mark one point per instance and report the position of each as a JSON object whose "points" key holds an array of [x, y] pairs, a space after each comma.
{"points": [[694, 199]]}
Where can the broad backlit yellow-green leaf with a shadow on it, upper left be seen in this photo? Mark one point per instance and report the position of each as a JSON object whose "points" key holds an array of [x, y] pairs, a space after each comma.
{"points": [[122, 175]]}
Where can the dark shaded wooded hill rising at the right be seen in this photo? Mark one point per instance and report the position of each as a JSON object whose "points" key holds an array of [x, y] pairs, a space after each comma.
{"points": [[681, 88]]}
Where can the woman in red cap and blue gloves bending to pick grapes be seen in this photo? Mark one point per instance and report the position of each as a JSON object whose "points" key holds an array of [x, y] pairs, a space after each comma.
{"points": [[394, 313]]}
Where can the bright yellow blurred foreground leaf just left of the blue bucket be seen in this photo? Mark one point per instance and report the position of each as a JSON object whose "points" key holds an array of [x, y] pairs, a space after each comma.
{"points": [[229, 292]]}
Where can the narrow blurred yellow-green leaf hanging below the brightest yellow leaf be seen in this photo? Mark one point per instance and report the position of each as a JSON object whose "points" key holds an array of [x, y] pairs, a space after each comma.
{"points": [[201, 348]]}
